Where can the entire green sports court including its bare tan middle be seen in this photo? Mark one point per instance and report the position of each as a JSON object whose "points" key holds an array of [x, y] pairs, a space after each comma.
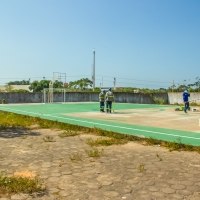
{"points": [[144, 120]]}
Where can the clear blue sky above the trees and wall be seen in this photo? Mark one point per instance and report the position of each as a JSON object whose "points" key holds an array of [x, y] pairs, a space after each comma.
{"points": [[143, 43]]}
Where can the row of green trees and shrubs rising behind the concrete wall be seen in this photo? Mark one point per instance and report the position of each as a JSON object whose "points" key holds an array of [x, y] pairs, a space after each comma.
{"points": [[86, 84]]}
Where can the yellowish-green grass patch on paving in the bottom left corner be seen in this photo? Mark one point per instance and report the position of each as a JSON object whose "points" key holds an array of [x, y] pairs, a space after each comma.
{"points": [[15, 185]]}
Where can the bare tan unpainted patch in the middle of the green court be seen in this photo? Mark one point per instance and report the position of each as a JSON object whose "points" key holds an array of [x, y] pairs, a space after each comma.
{"points": [[161, 118]]}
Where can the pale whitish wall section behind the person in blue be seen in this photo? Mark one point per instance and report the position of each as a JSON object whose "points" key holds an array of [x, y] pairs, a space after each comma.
{"points": [[174, 98]]}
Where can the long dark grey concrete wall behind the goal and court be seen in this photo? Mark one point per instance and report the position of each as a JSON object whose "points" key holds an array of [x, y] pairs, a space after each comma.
{"points": [[120, 97]]}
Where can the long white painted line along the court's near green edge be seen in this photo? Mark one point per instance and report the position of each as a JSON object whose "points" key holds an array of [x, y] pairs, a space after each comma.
{"points": [[121, 127]]}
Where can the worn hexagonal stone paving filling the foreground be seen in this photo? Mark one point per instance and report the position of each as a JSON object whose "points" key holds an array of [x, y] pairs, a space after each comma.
{"points": [[131, 171]]}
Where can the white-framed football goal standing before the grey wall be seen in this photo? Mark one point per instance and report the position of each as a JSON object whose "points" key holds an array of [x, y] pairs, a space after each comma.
{"points": [[54, 95]]}
